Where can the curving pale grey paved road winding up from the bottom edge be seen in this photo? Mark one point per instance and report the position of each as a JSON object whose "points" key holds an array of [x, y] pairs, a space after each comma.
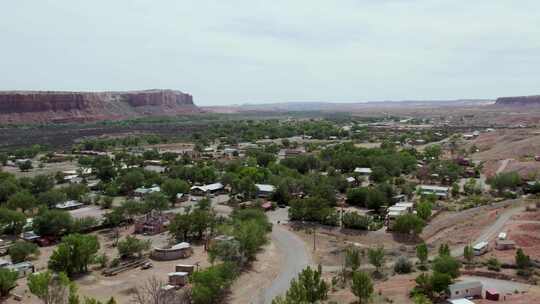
{"points": [[296, 256]]}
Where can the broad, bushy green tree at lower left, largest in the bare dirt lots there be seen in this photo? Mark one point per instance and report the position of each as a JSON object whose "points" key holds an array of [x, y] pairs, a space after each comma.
{"points": [[74, 254]]}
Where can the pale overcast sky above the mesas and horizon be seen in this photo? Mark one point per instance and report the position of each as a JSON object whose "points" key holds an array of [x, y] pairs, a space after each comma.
{"points": [[250, 51]]}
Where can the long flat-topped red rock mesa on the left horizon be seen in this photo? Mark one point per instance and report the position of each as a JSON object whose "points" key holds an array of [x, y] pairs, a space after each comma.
{"points": [[48, 106]]}
